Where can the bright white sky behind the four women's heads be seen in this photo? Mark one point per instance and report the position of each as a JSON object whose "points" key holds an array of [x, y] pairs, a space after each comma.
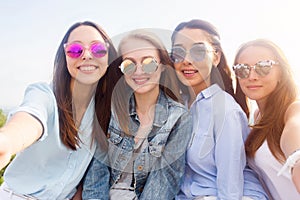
{"points": [[32, 30]]}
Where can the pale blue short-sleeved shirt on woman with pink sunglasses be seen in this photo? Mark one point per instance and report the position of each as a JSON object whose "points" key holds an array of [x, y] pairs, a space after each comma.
{"points": [[48, 169]]}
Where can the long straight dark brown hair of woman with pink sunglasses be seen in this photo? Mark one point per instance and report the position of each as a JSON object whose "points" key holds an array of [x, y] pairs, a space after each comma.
{"points": [[63, 93]]}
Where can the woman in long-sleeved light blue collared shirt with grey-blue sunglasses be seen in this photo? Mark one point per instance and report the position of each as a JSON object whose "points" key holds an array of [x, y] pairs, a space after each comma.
{"points": [[216, 161]]}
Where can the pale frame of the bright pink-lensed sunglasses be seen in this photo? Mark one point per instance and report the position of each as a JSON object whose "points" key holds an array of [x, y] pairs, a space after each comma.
{"points": [[84, 48]]}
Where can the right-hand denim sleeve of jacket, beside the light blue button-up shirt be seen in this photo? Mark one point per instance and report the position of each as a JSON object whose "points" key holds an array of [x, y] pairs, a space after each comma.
{"points": [[164, 180]]}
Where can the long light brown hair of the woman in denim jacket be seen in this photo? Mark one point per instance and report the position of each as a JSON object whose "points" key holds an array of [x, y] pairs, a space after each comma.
{"points": [[168, 80]]}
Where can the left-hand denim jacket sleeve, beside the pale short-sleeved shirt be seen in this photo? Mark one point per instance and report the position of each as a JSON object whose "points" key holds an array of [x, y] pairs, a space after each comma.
{"points": [[96, 181]]}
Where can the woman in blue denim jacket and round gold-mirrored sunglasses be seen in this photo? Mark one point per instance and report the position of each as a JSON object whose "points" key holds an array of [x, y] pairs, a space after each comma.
{"points": [[149, 130]]}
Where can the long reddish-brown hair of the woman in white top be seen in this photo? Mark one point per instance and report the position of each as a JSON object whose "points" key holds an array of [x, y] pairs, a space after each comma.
{"points": [[271, 124]]}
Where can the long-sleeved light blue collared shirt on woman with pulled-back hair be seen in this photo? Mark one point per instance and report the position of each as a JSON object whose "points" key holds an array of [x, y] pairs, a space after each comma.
{"points": [[216, 157]]}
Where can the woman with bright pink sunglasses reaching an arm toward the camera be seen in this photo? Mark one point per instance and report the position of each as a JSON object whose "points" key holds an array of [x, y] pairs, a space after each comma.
{"points": [[54, 130]]}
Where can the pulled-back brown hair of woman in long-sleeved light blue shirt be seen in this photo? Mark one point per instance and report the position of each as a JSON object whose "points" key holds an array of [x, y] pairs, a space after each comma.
{"points": [[220, 74]]}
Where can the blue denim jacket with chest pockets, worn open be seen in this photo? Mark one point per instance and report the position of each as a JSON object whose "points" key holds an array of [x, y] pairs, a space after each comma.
{"points": [[159, 168]]}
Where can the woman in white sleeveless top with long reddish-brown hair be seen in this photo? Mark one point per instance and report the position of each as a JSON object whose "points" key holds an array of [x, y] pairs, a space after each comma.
{"points": [[273, 145]]}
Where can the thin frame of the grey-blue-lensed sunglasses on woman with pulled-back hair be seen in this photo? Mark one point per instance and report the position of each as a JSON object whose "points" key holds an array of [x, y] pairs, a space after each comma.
{"points": [[192, 55]]}
